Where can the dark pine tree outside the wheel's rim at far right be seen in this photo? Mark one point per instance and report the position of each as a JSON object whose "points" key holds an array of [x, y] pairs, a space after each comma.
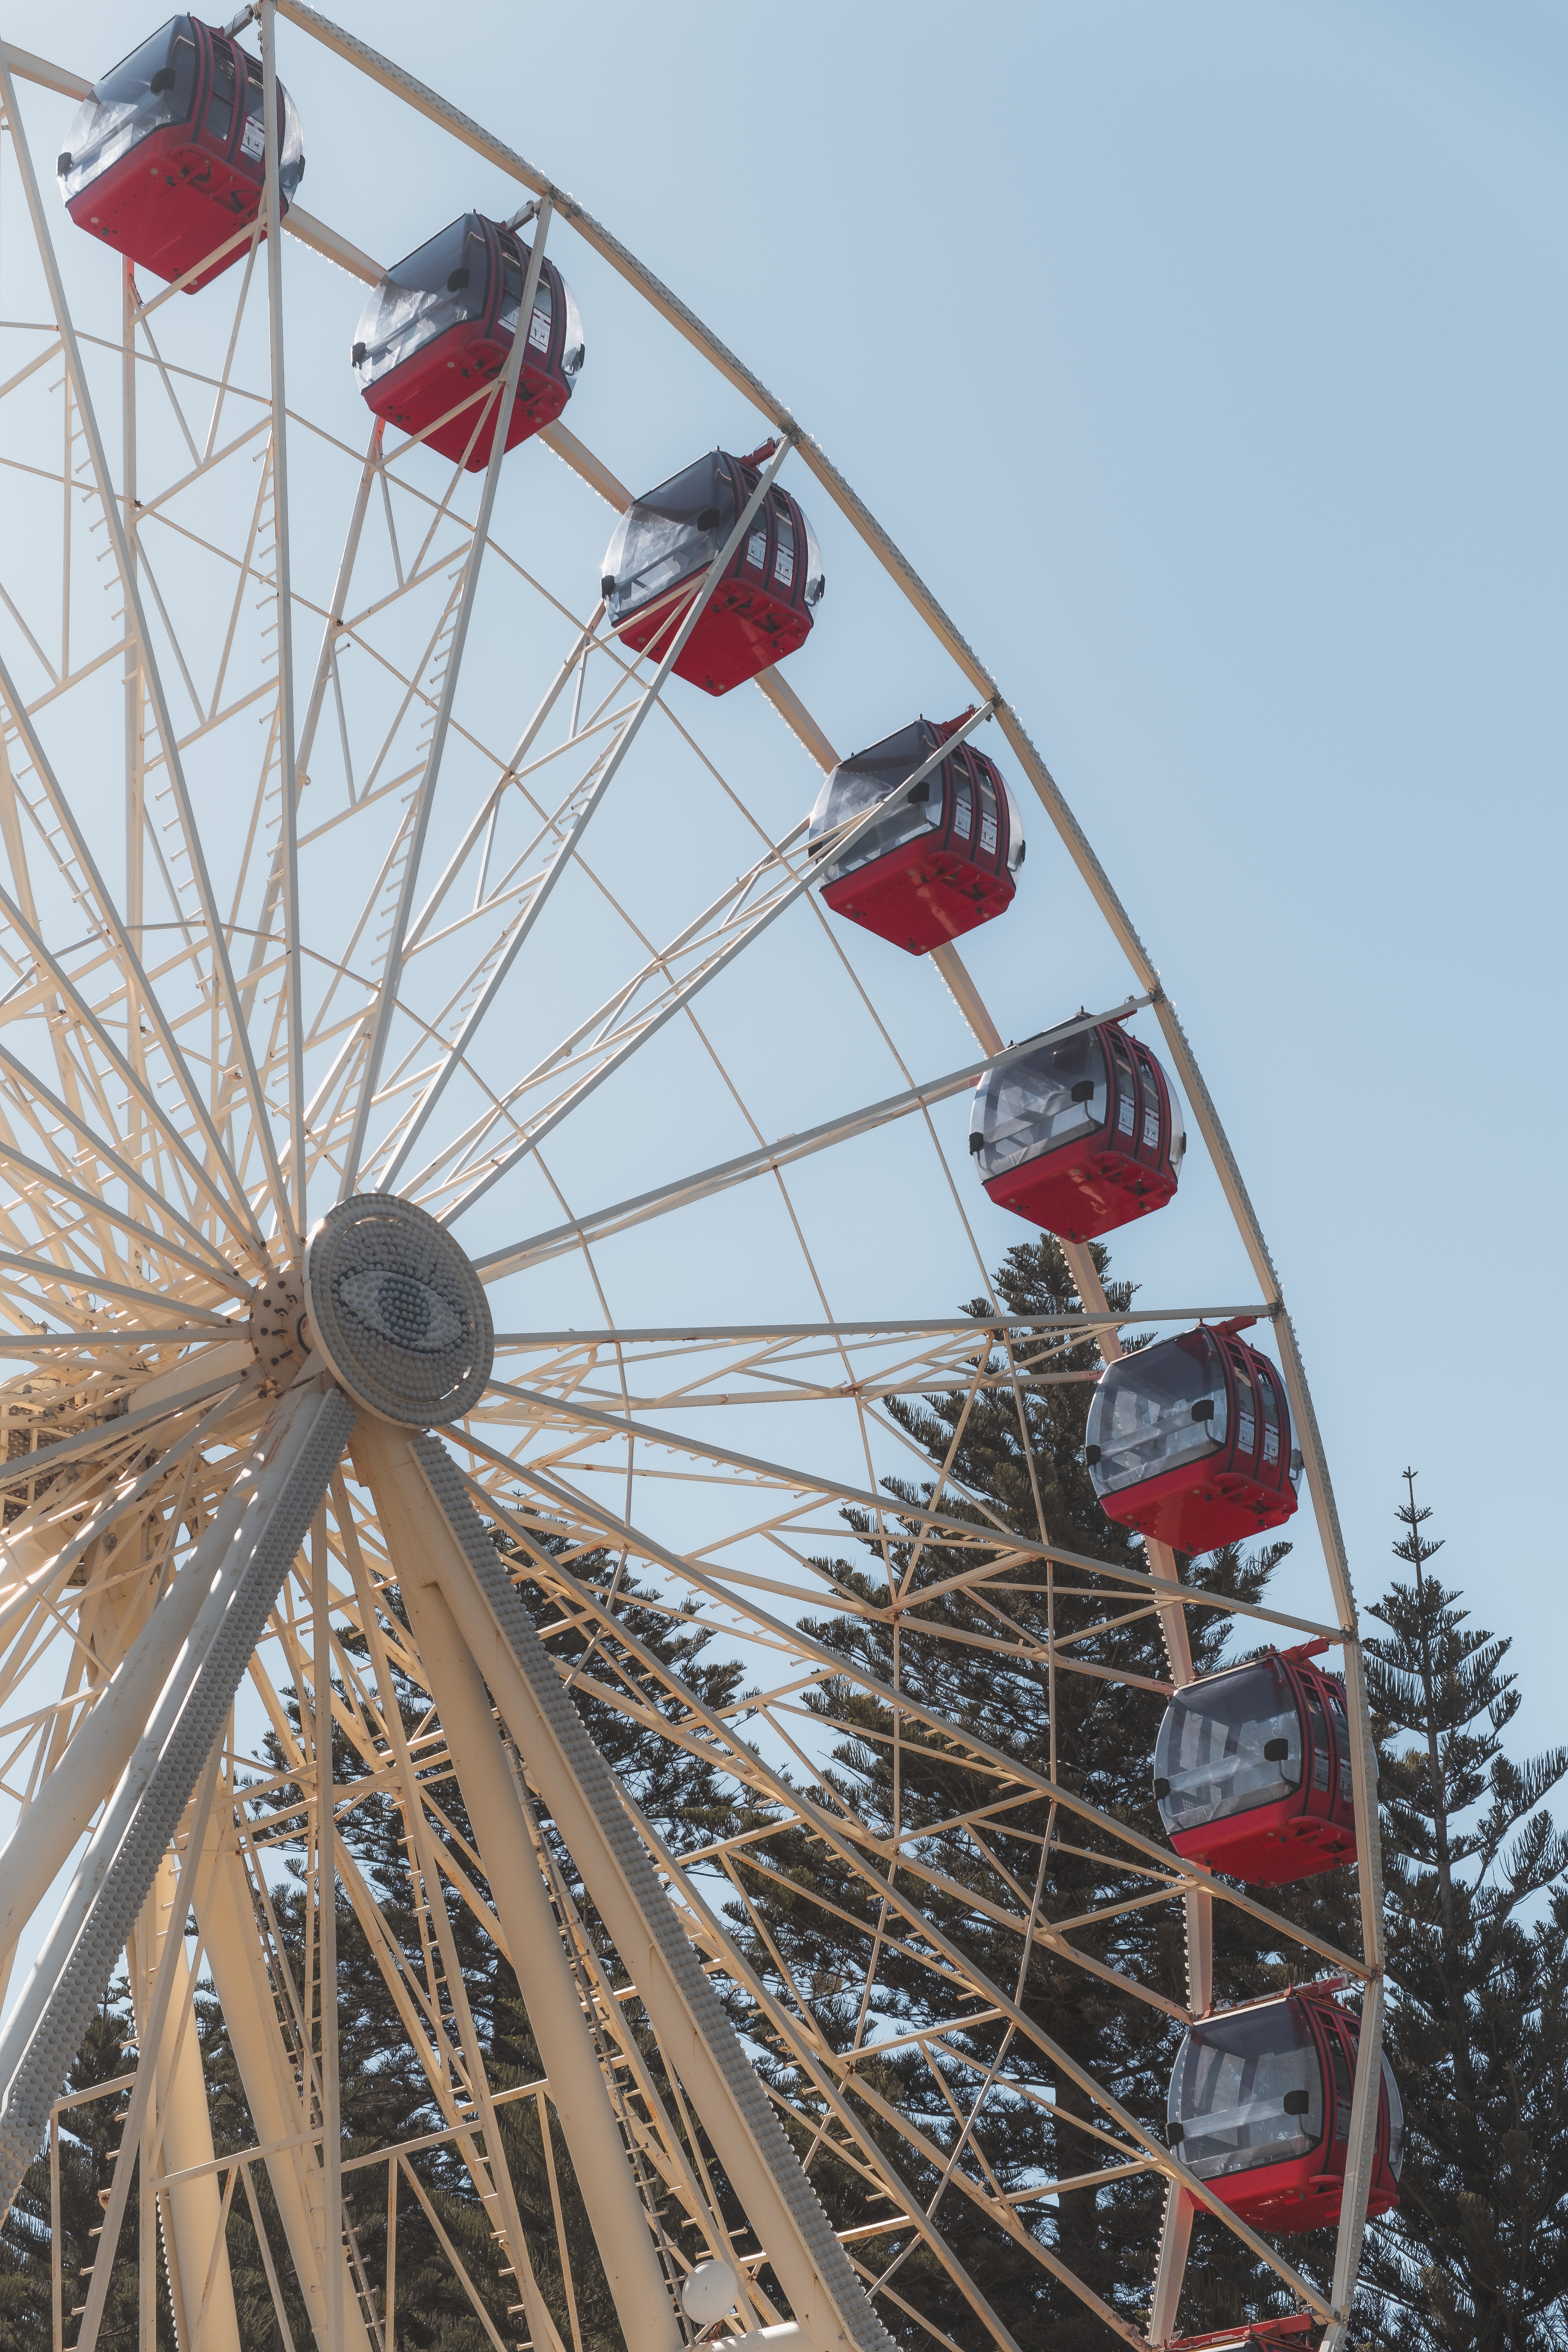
{"points": [[1477, 1939]]}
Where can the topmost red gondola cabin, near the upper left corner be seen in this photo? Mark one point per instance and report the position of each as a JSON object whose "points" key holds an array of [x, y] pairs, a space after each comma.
{"points": [[168, 156]]}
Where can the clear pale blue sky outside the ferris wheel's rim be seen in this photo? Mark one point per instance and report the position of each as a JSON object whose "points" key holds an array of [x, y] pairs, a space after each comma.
{"points": [[1209, 363]]}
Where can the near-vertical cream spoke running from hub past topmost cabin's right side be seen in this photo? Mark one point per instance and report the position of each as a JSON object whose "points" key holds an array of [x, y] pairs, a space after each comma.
{"points": [[286, 636]]}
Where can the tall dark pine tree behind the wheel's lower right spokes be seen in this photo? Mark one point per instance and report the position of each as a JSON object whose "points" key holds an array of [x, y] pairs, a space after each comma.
{"points": [[1101, 1746]]}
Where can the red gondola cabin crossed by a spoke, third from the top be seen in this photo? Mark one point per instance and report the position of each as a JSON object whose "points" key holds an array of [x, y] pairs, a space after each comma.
{"points": [[666, 542]]}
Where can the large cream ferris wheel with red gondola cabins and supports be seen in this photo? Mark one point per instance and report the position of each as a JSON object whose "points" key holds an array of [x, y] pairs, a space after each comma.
{"points": [[415, 1229]]}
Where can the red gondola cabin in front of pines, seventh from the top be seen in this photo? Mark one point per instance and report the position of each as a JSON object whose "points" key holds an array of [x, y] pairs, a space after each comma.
{"points": [[1252, 1770]]}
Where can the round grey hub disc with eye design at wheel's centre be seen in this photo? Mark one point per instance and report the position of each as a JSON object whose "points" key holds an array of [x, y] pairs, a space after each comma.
{"points": [[398, 1311]]}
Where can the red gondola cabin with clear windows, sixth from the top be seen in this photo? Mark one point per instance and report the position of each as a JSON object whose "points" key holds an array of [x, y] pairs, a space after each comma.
{"points": [[1191, 1441]]}
